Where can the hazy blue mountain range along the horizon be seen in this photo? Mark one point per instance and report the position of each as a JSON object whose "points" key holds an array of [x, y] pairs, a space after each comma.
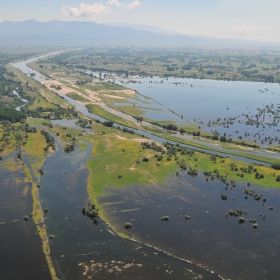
{"points": [[80, 34]]}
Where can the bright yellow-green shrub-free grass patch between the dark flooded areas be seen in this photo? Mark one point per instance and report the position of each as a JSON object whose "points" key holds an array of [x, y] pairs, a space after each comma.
{"points": [[114, 162]]}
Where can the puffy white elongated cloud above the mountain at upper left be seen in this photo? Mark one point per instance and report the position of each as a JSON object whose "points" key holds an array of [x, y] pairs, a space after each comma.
{"points": [[86, 10]]}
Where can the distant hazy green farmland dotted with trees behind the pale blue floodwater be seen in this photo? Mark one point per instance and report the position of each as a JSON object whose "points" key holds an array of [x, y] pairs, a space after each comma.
{"points": [[219, 64]]}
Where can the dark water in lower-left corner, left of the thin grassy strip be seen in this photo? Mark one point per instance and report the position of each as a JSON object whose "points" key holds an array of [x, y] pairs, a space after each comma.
{"points": [[21, 253]]}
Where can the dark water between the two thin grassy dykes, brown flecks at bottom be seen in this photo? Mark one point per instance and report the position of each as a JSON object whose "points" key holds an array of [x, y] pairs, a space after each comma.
{"points": [[80, 249]]}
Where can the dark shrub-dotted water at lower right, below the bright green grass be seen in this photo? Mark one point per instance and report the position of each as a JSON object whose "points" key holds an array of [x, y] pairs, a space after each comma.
{"points": [[233, 250]]}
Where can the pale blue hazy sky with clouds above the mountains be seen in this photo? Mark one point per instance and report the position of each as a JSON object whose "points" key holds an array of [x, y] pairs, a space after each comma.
{"points": [[242, 19]]}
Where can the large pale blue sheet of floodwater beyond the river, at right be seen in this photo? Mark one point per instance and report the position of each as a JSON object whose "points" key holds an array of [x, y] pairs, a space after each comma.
{"points": [[204, 101]]}
